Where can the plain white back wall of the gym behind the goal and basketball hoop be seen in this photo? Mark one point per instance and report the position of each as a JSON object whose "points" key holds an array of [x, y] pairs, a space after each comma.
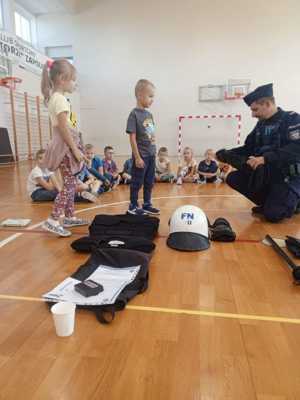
{"points": [[178, 45]]}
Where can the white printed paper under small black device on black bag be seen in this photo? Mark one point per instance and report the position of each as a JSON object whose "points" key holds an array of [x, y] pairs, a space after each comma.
{"points": [[113, 281]]}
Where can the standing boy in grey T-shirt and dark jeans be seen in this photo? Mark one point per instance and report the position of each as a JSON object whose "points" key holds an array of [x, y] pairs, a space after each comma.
{"points": [[140, 127]]}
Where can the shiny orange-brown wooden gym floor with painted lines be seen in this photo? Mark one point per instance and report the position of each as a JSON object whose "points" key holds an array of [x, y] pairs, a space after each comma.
{"points": [[237, 339]]}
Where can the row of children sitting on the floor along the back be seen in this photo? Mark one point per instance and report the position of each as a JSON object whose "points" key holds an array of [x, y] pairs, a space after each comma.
{"points": [[100, 176]]}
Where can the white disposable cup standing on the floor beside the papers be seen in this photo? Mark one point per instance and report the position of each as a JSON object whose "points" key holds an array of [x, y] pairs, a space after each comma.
{"points": [[64, 318]]}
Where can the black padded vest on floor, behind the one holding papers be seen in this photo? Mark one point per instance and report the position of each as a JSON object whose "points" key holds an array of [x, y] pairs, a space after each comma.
{"points": [[120, 231]]}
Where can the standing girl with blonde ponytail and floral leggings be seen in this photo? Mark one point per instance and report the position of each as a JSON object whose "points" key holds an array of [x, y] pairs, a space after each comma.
{"points": [[66, 150]]}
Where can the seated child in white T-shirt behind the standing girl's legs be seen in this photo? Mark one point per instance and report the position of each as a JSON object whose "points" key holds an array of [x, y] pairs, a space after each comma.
{"points": [[43, 186]]}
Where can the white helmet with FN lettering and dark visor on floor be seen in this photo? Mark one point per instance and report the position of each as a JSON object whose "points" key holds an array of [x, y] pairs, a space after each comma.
{"points": [[188, 229]]}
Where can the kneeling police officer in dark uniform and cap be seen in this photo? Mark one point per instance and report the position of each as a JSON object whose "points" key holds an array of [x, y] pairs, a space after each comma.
{"points": [[275, 142]]}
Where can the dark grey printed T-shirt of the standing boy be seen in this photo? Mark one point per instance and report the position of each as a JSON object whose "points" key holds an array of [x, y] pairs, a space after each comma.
{"points": [[141, 123]]}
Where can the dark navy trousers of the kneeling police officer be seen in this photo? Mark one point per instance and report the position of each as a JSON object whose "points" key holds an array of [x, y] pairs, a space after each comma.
{"points": [[277, 200]]}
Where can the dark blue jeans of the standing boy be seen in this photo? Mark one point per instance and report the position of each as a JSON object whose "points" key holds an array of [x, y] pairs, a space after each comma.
{"points": [[142, 176]]}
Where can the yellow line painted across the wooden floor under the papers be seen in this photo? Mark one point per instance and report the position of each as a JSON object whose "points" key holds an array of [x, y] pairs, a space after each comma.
{"points": [[177, 311]]}
